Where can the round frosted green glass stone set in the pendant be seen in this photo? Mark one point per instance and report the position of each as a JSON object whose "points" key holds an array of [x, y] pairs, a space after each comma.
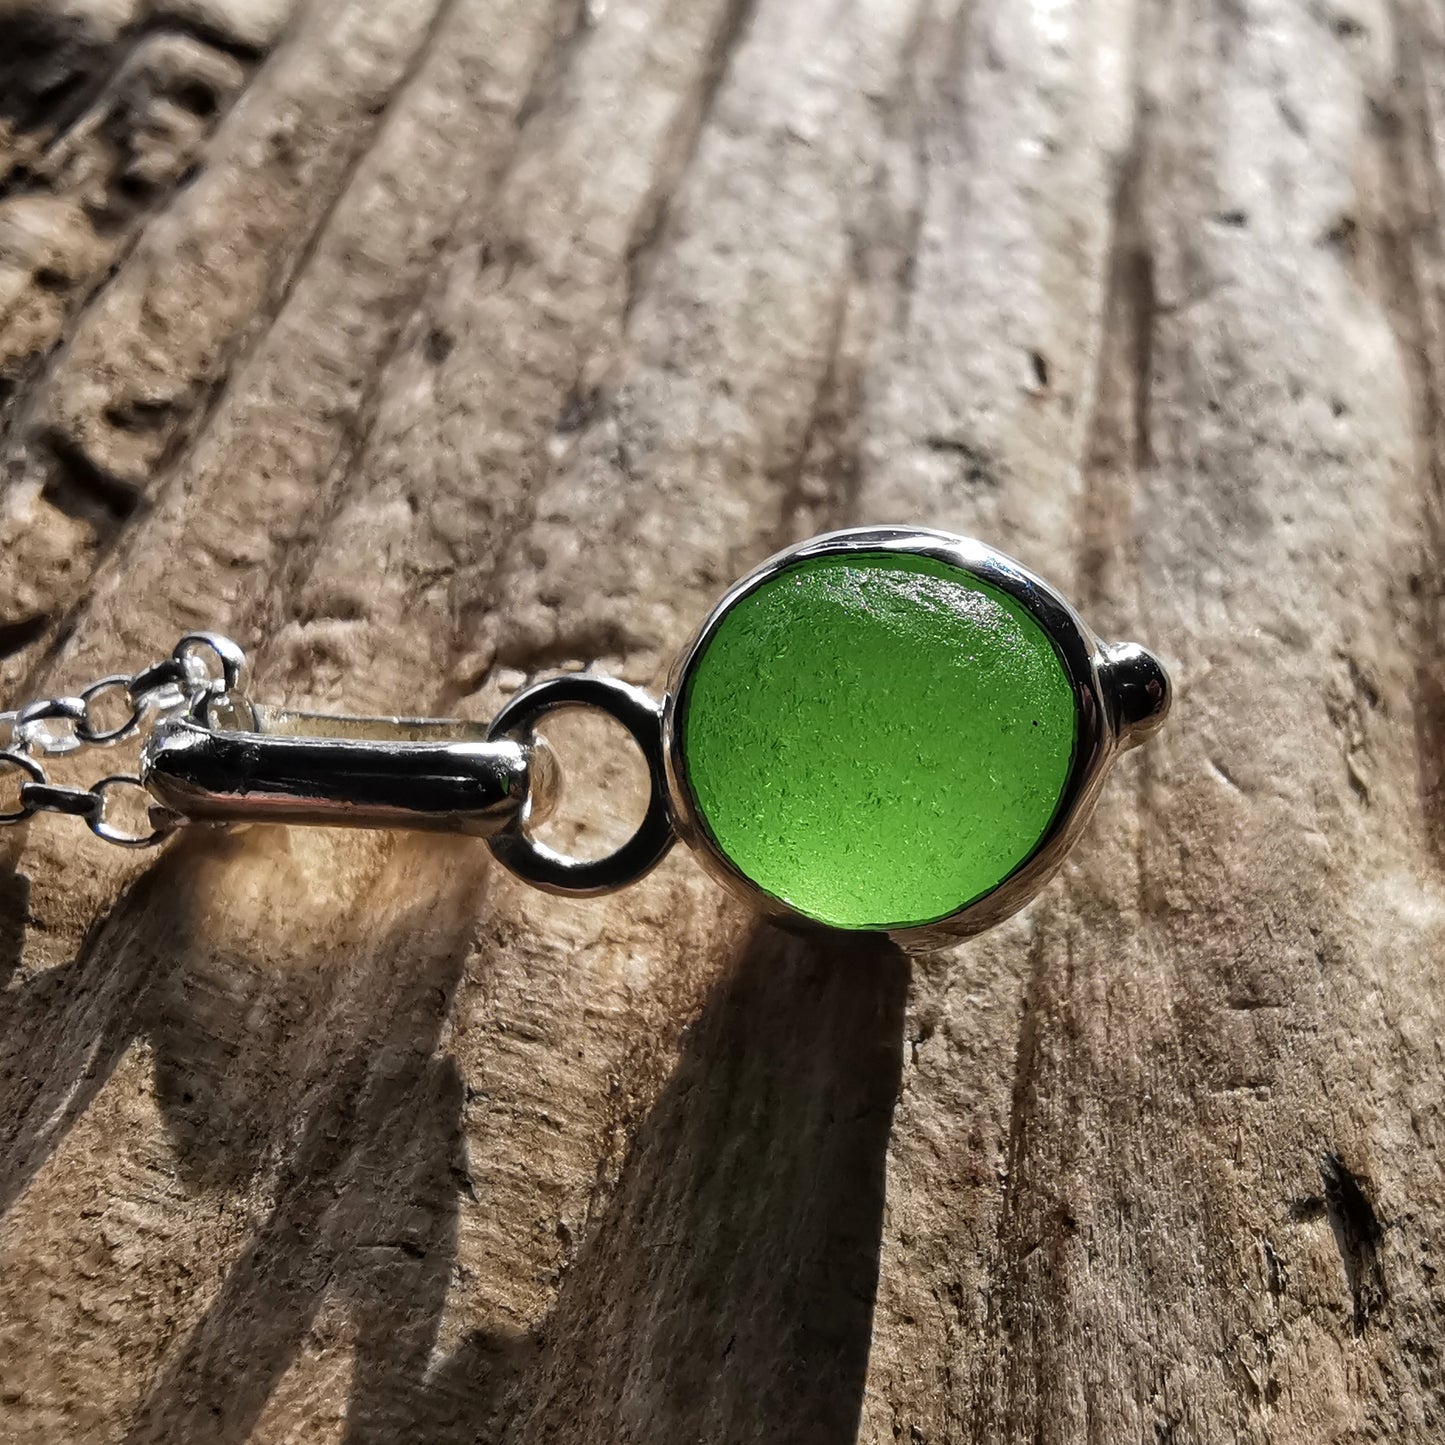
{"points": [[878, 739]]}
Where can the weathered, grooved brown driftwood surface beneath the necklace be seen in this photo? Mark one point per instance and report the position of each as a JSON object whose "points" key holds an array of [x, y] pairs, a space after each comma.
{"points": [[430, 345]]}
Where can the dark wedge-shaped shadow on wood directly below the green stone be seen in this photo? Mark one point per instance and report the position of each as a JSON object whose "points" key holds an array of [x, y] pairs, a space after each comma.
{"points": [[729, 1293]]}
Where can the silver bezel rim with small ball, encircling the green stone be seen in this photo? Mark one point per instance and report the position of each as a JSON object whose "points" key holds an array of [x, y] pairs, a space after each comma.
{"points": [[1121, 693]]}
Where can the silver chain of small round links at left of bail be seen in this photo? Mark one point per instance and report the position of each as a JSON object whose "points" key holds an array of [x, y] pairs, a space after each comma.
{"points": [[203, 667]]}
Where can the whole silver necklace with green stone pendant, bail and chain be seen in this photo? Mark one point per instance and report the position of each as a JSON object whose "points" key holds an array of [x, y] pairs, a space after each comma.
{"points": [[887, 730]]}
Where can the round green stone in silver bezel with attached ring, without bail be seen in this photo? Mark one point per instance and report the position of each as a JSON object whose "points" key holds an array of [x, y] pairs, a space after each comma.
{"points": [[887, 730]]}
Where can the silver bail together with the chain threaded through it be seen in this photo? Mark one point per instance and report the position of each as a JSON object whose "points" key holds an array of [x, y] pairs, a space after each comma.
{"points": [[212, 756]]}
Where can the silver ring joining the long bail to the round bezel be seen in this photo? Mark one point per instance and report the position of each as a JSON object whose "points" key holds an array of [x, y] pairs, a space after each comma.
{"points": [[642, 716]]}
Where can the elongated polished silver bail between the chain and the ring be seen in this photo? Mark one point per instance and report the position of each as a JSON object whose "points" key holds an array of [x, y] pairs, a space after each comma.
{"points": [[297, 768]]}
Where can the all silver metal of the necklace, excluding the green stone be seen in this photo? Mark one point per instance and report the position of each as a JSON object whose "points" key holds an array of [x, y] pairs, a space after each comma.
{"points": [[212, 756]]}
